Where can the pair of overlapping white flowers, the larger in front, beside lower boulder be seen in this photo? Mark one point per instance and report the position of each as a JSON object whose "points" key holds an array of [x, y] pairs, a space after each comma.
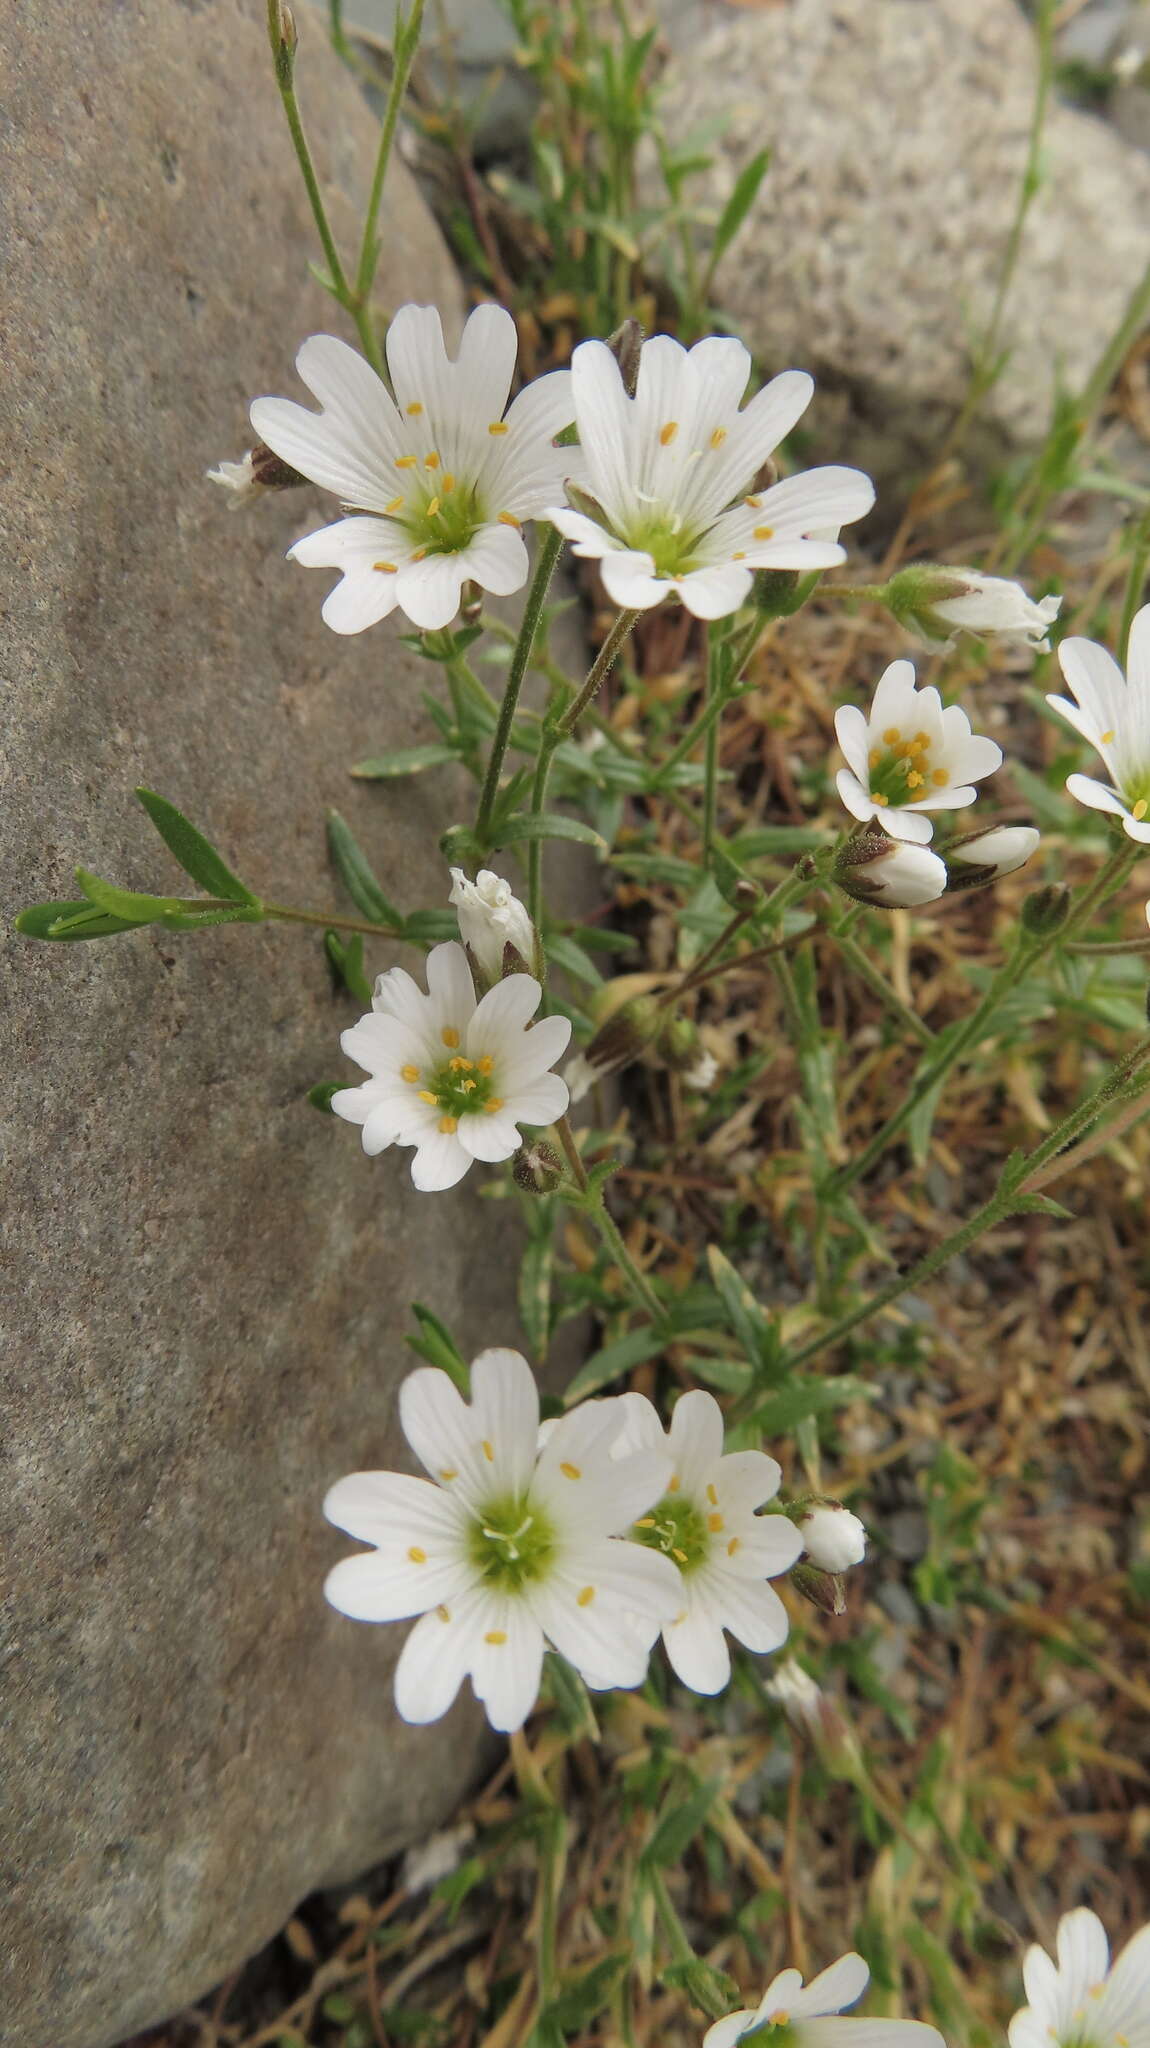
{"points": [[590, 1535]]}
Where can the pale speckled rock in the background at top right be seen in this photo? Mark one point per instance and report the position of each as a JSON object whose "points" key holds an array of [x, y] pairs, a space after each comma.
{"points": [[899, 136]]}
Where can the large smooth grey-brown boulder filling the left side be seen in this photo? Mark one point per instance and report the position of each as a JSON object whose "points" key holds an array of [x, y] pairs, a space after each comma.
{"points": [[206, 1281]]}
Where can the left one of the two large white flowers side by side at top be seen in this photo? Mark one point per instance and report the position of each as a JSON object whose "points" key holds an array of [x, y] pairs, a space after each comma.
{"points": [[439, 478]]}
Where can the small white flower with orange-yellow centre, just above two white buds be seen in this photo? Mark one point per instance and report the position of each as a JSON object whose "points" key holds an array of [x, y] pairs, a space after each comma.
{"points": [[912, 757]]}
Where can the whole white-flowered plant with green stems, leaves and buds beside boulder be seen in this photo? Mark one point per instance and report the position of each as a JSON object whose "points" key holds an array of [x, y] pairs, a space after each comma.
{"points": [[558, 1553]]}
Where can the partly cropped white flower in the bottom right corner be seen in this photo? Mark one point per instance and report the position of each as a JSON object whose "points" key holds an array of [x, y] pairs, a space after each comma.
{"points": [[1079, 2002]]}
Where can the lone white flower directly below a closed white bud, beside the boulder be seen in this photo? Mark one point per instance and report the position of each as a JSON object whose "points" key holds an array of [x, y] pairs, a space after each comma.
{"points": [[449, 1074]]}
